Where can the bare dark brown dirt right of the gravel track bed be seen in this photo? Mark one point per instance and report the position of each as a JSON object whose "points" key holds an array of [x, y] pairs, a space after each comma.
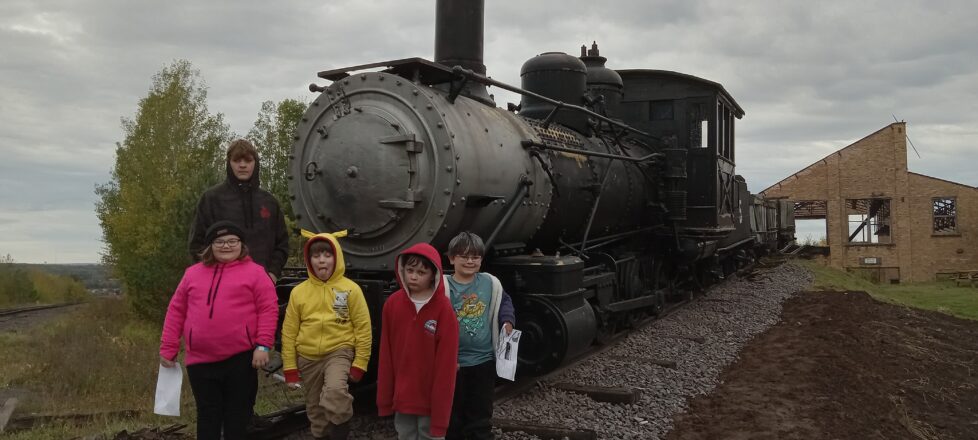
{"points": [[843, 365]]}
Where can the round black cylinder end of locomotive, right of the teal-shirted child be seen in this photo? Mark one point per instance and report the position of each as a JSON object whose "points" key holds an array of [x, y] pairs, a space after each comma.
{"points": [[543, 345]]}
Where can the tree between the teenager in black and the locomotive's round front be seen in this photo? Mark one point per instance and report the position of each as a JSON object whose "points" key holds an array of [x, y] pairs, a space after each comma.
{"points": [[273, 135]]}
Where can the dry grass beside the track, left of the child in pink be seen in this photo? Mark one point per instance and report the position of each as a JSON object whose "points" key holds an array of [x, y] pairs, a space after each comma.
{"points": [[99, 359]]}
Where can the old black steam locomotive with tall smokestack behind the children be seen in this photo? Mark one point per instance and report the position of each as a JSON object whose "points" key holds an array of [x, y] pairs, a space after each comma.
{"points": [[601, 196]]}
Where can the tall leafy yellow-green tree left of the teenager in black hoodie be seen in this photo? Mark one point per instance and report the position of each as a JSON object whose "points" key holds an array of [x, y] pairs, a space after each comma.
{"points": [[172, 151]]}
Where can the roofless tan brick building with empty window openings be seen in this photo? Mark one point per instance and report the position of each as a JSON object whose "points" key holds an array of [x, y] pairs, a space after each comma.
{"points": [[882, 219]]}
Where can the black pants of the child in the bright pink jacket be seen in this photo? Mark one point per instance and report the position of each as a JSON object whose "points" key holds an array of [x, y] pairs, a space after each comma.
{"points": [[224, 393]]}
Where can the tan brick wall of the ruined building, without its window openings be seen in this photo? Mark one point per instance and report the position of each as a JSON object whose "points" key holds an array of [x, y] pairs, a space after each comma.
{"points": [[876, 167]]}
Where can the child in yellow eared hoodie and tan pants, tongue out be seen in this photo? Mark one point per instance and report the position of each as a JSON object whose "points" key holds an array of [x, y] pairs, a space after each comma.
{"points": [[326, 337]]}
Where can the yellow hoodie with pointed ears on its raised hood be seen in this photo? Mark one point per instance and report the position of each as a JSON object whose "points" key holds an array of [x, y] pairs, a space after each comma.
{"points": [[323, 316]]}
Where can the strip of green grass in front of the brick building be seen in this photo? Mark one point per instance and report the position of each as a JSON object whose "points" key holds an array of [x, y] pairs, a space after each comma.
{"points": [[939, 296]]}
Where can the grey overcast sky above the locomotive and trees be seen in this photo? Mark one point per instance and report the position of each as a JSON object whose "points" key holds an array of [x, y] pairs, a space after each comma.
{"points": [[812, 76]]}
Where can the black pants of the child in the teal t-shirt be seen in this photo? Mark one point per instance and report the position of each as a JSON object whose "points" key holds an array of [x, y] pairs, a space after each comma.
{"points": [[472, 405]]}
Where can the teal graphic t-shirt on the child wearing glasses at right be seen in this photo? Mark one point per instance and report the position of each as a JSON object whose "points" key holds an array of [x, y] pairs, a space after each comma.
{"points": [[471, 303]]}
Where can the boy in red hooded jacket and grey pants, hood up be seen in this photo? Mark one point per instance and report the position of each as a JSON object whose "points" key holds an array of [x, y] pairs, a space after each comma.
{"points": [[418, 348]]}
